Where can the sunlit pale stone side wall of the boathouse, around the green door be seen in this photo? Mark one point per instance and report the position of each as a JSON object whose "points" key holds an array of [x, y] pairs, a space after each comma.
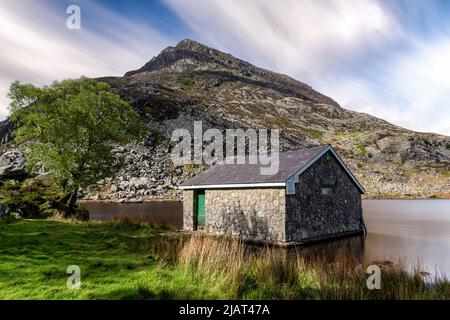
{"points": [[253, 213]]}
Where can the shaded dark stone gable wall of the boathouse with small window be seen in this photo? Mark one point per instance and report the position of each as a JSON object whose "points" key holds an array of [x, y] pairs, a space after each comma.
{"points": [[312, 215]]}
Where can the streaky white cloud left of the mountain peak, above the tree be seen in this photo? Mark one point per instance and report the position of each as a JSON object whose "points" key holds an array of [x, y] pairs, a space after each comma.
{"points": [[38, 48]]}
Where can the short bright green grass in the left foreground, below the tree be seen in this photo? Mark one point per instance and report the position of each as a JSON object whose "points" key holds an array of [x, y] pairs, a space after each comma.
{"points": [[34, 255]]}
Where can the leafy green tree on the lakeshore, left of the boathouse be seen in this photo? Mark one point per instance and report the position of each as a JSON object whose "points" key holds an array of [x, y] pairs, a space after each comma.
{"points": [[70, 128]]}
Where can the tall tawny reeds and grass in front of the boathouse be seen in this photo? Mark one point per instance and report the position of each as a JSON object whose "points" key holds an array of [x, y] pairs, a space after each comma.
{"points": [[227, 266]]}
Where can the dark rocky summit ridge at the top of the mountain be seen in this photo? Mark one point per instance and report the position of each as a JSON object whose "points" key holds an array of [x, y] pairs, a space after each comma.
{"points": [[190, 58]]}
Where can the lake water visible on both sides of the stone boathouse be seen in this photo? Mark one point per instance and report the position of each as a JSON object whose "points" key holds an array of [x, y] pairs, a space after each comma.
{"points": [[411, 231]]}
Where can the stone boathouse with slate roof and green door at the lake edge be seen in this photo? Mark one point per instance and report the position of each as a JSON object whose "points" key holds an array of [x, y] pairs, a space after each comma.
{"points": [[314, 196]]}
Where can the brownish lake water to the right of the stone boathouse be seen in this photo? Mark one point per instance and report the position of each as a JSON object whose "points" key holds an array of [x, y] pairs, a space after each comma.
{"points": [[415, 233]]}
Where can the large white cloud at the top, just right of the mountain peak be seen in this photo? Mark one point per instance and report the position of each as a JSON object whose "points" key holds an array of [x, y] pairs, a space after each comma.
{"points": [[296, 37]]}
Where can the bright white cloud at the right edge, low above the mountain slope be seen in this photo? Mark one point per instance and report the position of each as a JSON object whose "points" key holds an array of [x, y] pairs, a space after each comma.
{"points": [[413, 92]]}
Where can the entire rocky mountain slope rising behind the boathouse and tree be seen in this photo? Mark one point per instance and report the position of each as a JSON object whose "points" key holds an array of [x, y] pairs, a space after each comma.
{"points": [[191, 82]]}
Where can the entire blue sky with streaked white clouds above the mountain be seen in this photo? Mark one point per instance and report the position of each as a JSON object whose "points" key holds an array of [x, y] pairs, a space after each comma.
{"points": [[388, 58]]}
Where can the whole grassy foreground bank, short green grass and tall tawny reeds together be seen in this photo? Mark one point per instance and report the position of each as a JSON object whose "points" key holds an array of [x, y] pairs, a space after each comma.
{"points": [[124, 260]]}
